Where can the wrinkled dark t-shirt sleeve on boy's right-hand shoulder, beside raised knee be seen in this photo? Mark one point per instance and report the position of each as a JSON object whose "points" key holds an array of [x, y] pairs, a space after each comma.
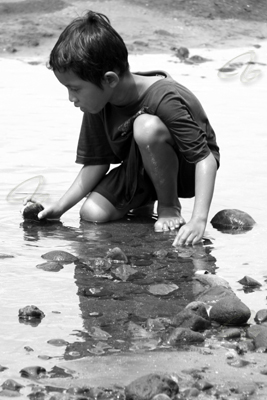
{"points": [[186, 125]]}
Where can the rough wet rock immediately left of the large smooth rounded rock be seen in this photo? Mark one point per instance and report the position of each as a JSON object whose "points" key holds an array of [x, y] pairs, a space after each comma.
{"points": [[188, 319]]}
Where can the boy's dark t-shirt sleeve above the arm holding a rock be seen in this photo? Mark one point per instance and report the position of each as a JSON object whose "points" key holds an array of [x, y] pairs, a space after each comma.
{"points": [[93, 146]]}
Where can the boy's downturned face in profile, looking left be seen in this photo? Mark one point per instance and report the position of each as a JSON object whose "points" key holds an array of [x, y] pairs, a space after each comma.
{"points": [[83, 94]]}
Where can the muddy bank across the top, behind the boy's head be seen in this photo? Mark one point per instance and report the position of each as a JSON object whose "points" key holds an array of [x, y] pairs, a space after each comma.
{"points": [[31, 27]]}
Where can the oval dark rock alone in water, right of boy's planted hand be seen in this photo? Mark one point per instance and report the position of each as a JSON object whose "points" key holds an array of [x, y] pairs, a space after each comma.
{"points": [[232, 220]]}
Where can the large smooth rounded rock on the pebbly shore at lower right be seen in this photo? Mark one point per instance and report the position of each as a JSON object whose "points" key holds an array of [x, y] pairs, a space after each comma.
{"points": [[230, 311]]}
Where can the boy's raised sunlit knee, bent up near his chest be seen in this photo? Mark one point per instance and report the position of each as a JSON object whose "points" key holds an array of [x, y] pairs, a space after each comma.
{"points": [[149, 129]]}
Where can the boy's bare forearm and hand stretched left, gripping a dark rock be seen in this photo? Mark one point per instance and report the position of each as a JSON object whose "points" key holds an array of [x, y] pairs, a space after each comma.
{"points": [[86, 180]]}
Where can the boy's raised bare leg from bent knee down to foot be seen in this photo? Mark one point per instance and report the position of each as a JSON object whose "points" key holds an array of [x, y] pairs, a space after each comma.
{"points": [[161, 164]]}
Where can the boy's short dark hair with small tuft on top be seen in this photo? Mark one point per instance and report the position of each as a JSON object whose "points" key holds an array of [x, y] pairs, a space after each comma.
{"points": [[90, 47]]}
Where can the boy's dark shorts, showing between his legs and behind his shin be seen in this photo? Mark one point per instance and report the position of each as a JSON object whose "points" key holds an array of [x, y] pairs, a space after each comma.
{"points": [[113, 186]]}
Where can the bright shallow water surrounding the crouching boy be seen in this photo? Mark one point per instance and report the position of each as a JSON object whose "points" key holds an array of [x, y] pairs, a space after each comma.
{"points": [[39, 131]]}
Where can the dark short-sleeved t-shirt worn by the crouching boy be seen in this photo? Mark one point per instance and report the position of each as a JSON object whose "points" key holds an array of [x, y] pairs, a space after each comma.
{"points": [[102, 141]]}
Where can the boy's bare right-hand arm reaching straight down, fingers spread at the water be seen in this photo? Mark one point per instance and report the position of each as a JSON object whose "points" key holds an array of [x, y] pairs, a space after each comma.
{"points": [[193, 231]]}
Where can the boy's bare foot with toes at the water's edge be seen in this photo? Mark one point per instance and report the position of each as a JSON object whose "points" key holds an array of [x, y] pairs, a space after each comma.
{"points": [[169, 218]]}
